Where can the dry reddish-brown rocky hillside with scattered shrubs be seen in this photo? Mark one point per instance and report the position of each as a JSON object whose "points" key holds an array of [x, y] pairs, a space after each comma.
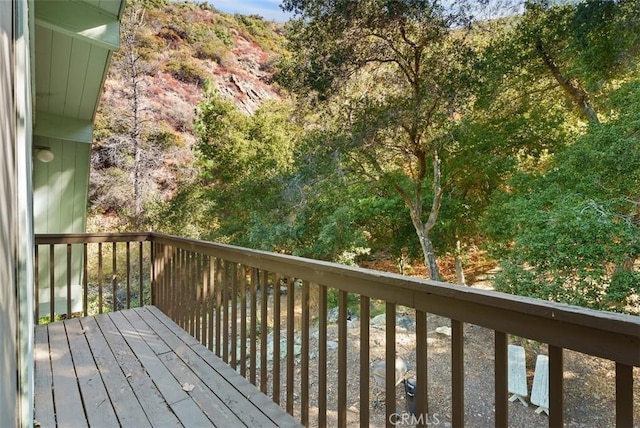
{"points": [[169, 52]]}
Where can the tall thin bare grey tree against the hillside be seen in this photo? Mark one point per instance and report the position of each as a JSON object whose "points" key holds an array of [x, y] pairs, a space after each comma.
{"points": [[127, 153]]}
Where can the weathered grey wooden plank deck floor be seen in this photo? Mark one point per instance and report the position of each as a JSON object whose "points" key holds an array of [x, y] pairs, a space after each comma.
{"points": [[137, 368]]}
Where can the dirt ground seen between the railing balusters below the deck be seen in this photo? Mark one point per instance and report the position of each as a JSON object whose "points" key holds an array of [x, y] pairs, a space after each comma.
{"points": [[589, 382]]}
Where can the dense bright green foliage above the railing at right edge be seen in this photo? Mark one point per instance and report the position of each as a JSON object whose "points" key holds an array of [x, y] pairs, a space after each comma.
{"points": [[575, 226]]}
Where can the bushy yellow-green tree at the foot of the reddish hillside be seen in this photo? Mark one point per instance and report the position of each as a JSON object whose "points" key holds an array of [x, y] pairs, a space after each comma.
{"points": [[242, 161]]}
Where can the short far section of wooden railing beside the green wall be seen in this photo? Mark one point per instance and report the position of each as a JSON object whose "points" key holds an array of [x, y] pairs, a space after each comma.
{"points": [[91, 273]]}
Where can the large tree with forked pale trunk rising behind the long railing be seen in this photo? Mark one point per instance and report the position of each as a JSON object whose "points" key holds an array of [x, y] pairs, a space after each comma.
{"points": [[394, 74]]}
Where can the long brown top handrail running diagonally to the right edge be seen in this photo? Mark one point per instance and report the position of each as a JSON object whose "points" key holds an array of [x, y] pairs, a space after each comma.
{"points": [[612, 336]]}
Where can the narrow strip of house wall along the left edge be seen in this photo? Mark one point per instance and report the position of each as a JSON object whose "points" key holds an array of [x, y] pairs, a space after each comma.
{"points": [[16, 214]]}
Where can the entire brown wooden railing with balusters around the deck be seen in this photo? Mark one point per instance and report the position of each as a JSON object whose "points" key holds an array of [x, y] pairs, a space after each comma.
{"points": [[250, 307]]}
